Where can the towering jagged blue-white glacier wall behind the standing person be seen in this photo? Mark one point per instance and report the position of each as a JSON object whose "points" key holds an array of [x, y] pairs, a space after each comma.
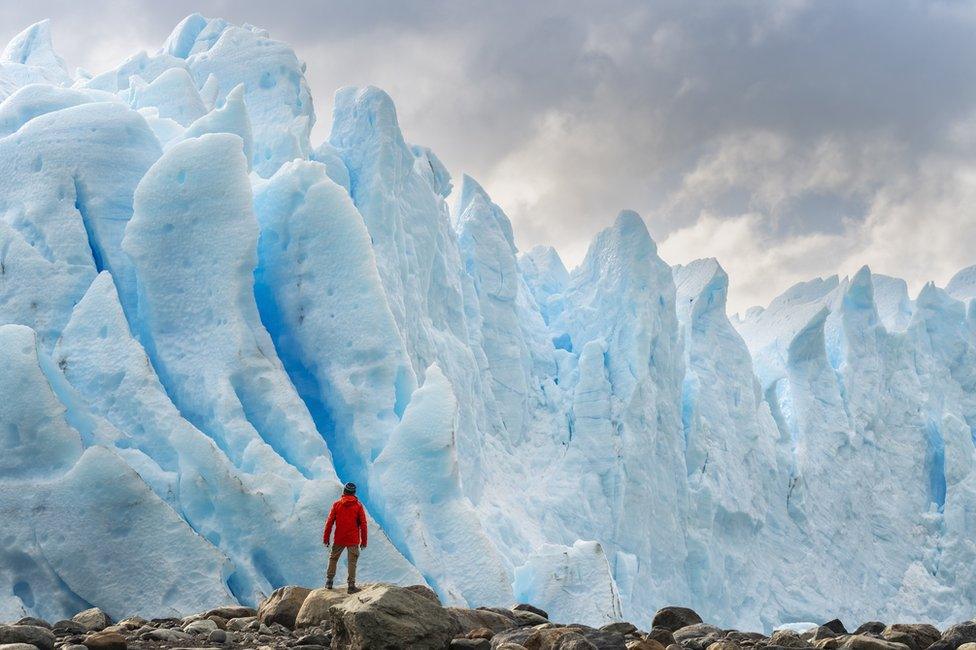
{"points": [[208, 323]]}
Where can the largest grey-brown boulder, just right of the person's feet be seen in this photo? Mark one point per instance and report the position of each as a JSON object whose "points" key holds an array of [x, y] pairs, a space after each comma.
{"points": [[385, 616]]}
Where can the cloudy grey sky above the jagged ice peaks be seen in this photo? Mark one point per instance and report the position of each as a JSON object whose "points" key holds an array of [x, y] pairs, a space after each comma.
{"points": [[788, 139]]}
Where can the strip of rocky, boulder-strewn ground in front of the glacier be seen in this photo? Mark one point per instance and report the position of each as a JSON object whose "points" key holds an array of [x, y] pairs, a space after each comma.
{"points": [[386, 616]]}
